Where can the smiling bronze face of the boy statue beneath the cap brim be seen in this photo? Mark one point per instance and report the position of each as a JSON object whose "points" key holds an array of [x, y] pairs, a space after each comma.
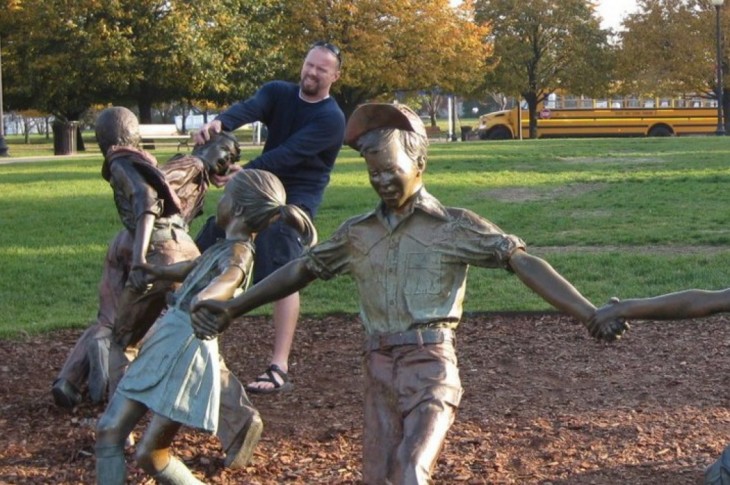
{"points": [[393, 175]]}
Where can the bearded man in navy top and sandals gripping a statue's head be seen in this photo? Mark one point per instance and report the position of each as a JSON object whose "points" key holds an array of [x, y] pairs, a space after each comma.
{"points": [[305, 133]]}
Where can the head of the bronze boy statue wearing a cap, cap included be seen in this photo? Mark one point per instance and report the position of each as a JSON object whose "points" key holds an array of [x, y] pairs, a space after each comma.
{"points": [[393, 141]]}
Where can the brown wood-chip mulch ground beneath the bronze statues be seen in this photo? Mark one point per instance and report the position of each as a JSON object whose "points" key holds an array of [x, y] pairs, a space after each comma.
{"points": [[543, 404]]}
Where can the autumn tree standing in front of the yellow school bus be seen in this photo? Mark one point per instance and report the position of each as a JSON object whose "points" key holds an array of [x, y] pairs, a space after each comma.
{"points": [[543, 46]]}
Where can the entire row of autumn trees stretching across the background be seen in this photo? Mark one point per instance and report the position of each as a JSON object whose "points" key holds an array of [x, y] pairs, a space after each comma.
{"points": [[63, 57]]}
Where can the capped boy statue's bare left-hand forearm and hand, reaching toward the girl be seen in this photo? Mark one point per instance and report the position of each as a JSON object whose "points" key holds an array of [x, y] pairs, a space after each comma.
{"points": [[210, 318]]}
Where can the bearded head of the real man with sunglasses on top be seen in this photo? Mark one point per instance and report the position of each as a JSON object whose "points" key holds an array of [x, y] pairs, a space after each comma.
{"points": [[320, 70]]}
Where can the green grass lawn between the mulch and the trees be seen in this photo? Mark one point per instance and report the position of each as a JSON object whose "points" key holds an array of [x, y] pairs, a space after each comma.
{"points": [[624, 217]]}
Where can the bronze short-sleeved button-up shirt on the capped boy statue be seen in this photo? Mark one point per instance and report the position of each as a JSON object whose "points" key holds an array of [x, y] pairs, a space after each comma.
{"points": [[412, 275]]}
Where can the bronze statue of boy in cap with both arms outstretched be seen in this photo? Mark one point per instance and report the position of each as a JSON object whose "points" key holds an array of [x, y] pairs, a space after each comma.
{"points": [[409, 258]]}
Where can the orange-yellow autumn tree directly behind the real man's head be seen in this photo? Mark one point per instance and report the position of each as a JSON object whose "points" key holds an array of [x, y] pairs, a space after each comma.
{"points": [[394, 46]]}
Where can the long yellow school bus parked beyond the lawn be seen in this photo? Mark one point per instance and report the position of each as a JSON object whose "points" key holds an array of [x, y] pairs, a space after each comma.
{"points": [[577, 116]]}
